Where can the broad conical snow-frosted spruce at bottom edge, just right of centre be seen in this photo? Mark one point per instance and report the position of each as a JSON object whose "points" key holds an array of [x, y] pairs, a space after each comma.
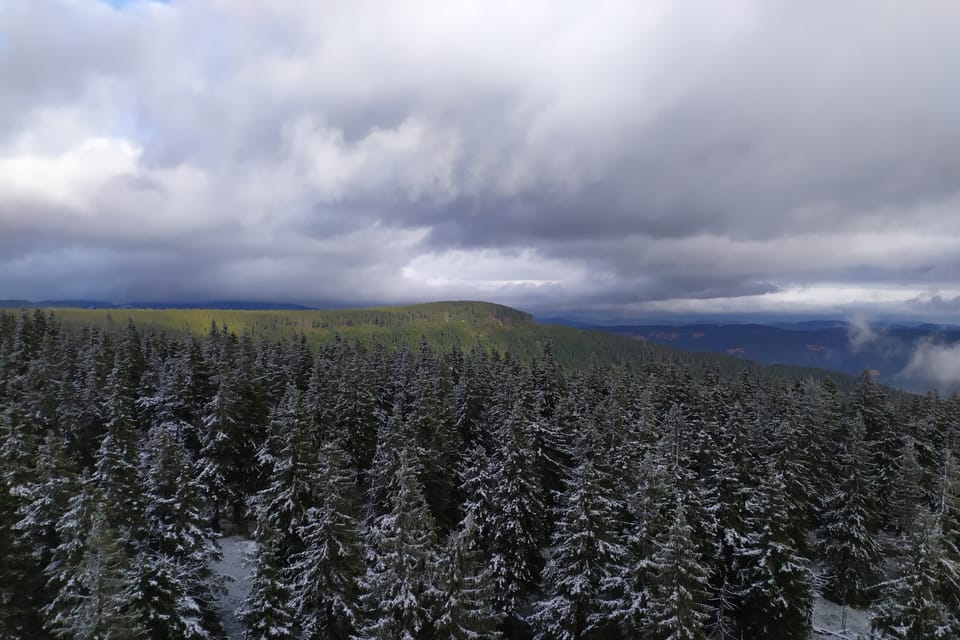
{"points": [[583, 582]]}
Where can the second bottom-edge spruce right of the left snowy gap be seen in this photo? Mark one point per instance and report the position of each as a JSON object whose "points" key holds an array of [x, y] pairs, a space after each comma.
{"points": [[324, 573]]}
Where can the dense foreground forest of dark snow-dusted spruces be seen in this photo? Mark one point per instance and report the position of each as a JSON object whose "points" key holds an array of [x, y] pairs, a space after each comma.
{"points": [[425, 493]]}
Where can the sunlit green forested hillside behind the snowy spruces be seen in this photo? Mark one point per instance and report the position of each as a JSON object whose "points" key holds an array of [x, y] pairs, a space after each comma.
{"points": [[445, 325]]}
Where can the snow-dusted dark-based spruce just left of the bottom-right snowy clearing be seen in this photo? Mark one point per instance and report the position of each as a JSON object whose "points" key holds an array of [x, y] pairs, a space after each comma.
{"points": [[776, 582]]}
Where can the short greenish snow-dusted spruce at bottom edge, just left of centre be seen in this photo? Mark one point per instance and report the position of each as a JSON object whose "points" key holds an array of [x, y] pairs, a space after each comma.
{"points": [[466, 610]]}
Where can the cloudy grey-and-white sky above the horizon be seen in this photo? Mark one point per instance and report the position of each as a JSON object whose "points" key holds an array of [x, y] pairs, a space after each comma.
{"points": [[614, 159]]}
